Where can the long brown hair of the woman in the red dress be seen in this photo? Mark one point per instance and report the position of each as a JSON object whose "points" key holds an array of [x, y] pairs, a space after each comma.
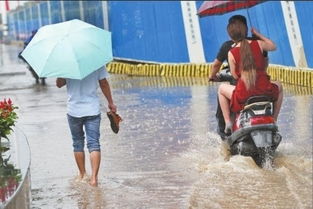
{"points": [[238, 32]]}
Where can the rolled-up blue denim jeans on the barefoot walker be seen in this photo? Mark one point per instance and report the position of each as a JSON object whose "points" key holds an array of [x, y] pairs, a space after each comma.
{"points": [[89, 124]]}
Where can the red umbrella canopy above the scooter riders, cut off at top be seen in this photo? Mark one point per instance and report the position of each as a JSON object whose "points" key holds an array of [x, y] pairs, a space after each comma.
{"points": [[222, 7]]}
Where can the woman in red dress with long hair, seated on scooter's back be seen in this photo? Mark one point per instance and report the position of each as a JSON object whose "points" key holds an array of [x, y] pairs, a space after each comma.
{"points": [[248, 66]]}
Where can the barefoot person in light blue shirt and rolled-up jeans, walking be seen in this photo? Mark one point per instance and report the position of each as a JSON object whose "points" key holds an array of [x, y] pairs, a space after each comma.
{"points": [[83, 114]]}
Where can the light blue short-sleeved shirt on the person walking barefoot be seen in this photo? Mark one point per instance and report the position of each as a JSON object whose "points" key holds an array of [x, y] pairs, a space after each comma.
{"points": [[83, 99]]}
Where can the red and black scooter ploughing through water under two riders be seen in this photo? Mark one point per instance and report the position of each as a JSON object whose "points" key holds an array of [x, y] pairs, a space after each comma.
{"points": [[254, 132]]}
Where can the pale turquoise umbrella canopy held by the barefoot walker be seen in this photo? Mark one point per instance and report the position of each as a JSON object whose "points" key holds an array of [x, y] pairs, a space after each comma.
{"points": [[71, 49]]}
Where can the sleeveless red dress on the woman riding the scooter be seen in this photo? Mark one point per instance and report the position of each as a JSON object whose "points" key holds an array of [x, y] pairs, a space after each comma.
{"points": [[263, 85]]}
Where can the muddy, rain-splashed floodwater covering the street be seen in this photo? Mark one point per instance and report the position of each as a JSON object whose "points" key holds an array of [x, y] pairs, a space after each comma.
{"points": [[167, 153]]}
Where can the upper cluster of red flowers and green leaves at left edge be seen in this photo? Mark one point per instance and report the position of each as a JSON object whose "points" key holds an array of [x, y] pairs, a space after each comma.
{"points": [[8, 117]]}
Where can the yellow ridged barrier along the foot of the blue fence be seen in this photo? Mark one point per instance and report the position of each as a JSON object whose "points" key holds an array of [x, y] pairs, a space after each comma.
{"points": [[287, 75]]}
